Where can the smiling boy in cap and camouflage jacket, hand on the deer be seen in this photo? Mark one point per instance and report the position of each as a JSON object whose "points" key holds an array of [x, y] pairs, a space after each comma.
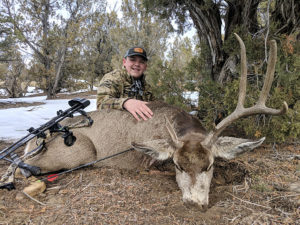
{"points": [[127, 88]]}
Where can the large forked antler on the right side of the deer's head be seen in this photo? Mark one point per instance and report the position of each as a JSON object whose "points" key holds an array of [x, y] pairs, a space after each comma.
{"points": [[259, 107]]}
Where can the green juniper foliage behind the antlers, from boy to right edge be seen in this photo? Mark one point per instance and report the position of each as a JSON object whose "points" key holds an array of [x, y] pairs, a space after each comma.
{"points": [[180, 73]]}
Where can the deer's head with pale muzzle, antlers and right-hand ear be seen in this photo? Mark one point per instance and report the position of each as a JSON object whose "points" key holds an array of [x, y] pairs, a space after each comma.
{"points": [[195, 157]]}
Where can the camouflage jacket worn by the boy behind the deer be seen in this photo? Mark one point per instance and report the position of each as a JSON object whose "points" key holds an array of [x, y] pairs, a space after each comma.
{"points": [[117, 86]]}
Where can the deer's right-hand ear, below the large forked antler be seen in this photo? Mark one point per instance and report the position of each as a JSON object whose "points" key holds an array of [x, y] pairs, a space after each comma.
{"points": [[230, 147]]}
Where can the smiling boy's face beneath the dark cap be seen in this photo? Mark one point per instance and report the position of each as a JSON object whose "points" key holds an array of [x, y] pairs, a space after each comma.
{"points": [[135, 65]]}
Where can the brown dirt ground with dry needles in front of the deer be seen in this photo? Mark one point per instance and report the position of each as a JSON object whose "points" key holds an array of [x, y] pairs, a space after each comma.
{"points": [[252, 189]]}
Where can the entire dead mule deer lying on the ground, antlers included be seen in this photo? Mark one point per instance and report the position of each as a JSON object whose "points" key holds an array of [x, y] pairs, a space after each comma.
{"points": [[171, 133]]}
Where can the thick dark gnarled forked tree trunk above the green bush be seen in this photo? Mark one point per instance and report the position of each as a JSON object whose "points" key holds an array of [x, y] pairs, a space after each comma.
{"points": [[207, 20]]}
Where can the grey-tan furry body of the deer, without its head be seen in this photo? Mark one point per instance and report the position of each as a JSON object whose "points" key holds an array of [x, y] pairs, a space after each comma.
{"points": [[112, 131]]}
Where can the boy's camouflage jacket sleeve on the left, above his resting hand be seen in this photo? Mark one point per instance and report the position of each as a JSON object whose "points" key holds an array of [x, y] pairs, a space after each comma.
{"points": [[110, 89]]}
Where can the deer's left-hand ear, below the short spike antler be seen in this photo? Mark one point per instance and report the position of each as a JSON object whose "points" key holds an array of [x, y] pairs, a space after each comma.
{"points": [[160, 149]]}
